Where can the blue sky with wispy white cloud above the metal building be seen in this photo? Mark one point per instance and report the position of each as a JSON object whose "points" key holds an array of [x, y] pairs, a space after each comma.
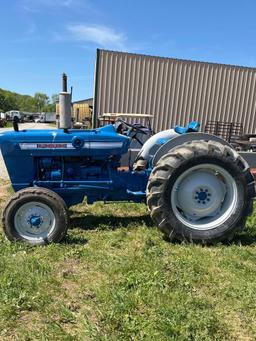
{"points": [[40, 39]]}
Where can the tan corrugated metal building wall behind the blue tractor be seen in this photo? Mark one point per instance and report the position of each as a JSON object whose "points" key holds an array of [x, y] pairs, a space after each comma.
{"points": [[174, 91]]}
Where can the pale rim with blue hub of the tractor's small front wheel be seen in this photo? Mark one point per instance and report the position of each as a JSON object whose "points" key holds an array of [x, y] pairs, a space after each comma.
{"points": [[34, 221]]}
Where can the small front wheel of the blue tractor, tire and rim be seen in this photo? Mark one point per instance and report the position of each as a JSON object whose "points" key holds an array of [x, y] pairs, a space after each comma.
{"points": [[36, 216]]}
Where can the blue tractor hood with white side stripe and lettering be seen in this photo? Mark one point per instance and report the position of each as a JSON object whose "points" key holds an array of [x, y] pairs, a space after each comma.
{"points": [[99, 143]]}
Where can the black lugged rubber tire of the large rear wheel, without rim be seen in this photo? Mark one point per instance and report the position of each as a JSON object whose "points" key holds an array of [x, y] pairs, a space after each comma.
{"points": [[171, 162]]}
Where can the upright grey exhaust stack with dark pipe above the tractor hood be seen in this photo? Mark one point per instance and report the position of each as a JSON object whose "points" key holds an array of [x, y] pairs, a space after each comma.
{"points": [[65, 105]]}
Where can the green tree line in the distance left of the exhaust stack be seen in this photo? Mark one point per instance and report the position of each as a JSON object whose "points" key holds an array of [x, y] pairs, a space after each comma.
{"points": [[40, 102]]}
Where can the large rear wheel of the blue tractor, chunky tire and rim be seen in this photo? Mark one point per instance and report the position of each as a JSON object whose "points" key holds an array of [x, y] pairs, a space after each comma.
{"points": [[200, 192]]}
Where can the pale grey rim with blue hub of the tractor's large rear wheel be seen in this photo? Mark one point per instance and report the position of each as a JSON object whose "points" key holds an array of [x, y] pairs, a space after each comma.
{"points": [[204, 197]]}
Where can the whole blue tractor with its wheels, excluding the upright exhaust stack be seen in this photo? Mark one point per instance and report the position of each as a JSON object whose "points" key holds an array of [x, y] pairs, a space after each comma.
{"points": [[196, 186]]}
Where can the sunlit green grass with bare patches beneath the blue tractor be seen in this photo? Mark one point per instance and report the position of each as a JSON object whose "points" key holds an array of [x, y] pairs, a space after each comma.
{"points": [[115, 278]]}
